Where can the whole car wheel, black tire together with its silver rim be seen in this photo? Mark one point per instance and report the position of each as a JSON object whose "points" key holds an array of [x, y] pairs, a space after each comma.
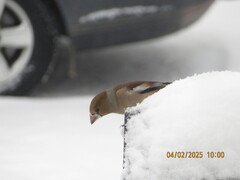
{"points": [[25, 55]]}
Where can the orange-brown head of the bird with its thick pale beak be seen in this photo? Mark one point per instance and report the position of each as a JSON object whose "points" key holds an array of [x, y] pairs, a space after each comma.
{"points": [[99, 107]]}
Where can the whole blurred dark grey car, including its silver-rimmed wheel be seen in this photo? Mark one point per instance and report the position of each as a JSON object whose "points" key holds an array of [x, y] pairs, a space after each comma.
{"points": [[30, 31]]}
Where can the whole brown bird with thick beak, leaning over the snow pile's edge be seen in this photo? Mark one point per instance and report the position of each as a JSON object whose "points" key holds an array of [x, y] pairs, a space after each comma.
{"points": [[118, 98]]}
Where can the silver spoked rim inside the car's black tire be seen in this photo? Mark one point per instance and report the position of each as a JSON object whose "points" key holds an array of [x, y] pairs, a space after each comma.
{"points": [[16, 43]]}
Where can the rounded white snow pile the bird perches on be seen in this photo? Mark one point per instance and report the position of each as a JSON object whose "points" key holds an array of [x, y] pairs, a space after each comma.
{"points": [[193, 115]]}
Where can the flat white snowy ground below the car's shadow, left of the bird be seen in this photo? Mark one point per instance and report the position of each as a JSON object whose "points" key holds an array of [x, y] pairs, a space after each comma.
{"points": [[53, 139]]}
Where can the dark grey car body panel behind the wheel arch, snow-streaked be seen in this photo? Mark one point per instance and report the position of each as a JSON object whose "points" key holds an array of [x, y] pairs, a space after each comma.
{"points": [[92, 24]]}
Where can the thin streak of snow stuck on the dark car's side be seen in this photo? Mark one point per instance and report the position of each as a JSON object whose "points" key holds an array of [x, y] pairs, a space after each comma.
{"points": [[116, 12]]}
